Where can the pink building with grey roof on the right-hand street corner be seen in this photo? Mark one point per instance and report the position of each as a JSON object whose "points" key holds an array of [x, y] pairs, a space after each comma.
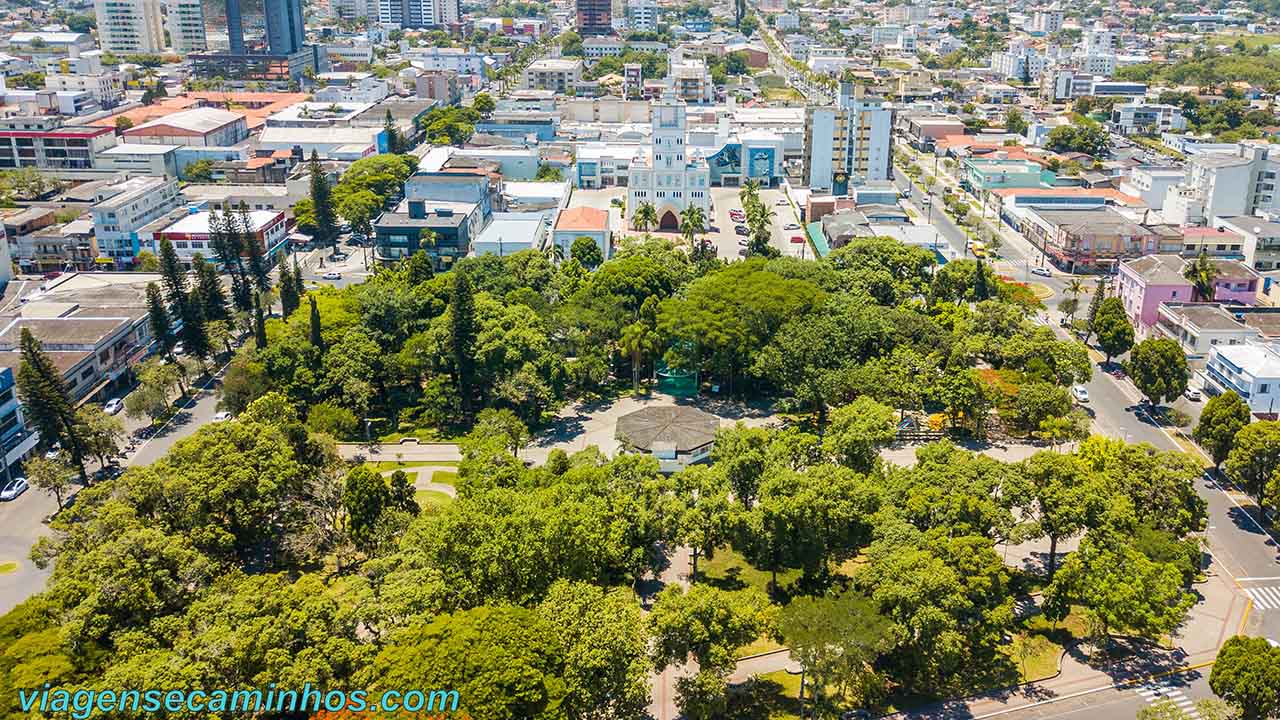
{"points": [[1144, 284]]}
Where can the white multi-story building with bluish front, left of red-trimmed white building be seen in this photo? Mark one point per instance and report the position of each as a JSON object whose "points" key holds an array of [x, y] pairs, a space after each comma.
{"points": [[126, 208]]}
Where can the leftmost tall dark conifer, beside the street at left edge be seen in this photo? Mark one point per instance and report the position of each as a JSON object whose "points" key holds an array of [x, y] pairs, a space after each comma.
{"points": [[45, 402]]}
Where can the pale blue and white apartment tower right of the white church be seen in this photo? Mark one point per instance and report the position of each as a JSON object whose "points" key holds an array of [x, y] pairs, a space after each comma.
{"points": [[849, 144]]}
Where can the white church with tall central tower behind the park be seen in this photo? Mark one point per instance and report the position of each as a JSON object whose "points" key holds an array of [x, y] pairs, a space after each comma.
{"points": [[664, 175]]}
